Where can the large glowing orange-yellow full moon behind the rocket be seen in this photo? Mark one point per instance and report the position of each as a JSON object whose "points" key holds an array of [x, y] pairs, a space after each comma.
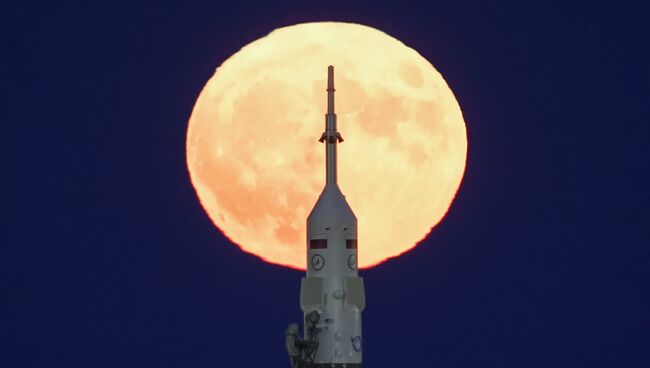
{"points": [[256, 164]]}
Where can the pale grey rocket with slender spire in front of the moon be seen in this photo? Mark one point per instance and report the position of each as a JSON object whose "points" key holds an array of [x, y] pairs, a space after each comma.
{"points": [[332, 294]]}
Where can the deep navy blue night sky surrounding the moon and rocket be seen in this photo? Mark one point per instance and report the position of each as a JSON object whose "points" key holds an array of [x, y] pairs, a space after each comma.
{"points": [[108, 259]]}
